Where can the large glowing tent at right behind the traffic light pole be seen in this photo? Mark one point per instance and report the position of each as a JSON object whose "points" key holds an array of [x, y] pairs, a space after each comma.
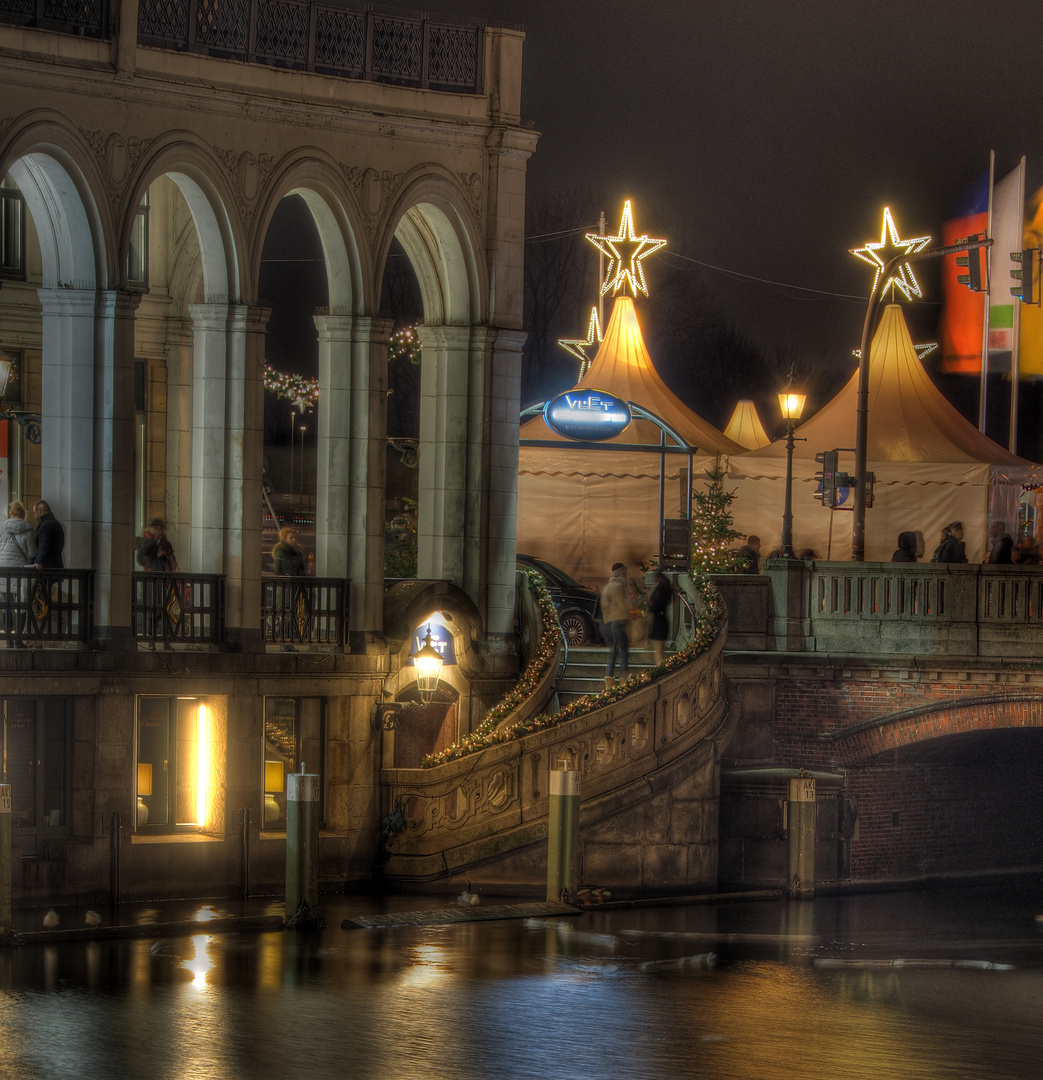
{"points": [[932, 466]]}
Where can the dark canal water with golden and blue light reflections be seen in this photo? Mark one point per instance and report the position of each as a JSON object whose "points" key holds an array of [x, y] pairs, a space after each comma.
{"points": [[930, 984]]}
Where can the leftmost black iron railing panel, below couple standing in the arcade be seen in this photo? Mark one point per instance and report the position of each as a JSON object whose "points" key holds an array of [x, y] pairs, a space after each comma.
{"points": [[46, 606]]}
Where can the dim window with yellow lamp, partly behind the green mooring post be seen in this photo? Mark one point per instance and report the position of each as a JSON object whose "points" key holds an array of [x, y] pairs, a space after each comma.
{"points": [[294, 738]]}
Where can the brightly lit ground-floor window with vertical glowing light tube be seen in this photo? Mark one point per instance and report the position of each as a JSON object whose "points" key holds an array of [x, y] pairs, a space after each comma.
{"points": [[175, 744]]}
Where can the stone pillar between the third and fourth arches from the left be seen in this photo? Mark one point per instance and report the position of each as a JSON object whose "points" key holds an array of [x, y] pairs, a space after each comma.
{"points": [[353, 449]]}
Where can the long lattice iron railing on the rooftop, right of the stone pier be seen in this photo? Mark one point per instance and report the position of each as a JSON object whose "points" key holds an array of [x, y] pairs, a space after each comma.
{"points": [[324, 37]]}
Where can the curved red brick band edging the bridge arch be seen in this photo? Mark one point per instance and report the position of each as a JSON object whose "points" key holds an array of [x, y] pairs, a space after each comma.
{"points": [[860, 744]]}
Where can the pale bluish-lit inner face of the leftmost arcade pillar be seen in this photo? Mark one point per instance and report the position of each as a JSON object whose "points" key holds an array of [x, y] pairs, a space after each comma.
{"points": [[67, 413]]}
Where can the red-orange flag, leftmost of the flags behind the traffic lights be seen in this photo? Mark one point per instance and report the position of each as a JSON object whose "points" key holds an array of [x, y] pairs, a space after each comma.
{"points": [[961, 329]]}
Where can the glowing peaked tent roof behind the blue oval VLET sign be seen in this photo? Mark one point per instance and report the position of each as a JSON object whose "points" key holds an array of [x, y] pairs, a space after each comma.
{"points": [[625, 369]]}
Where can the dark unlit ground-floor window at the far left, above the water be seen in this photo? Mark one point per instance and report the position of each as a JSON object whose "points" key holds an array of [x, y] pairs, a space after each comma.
{"points": [[36, 737]]}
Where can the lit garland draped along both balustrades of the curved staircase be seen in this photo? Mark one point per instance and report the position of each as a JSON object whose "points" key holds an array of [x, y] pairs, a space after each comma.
{"points": [[491, 734]]}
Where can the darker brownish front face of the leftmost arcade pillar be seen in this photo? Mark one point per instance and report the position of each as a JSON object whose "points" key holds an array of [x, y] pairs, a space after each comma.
{"points": [[113, 543]]}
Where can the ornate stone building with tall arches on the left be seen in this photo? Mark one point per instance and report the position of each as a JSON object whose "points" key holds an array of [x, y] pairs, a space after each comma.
{"points": [[144, 153]]}
